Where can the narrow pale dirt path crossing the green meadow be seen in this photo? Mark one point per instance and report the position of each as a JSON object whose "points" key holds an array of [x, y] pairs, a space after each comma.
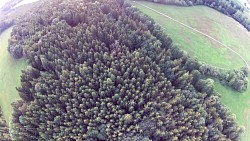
{"points": [[202, 33]]}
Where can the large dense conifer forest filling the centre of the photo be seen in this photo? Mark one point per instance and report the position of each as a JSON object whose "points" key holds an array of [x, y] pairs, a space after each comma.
{"points": [[102, 70]]}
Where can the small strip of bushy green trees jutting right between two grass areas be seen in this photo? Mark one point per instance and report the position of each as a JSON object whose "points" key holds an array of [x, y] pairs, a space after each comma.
{"points": [[236, 79]]}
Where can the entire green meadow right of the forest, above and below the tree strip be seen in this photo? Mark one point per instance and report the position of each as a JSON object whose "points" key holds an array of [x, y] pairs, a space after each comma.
{"points": [[219, 26]]}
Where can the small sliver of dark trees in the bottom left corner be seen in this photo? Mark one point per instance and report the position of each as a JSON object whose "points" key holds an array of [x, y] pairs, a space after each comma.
{"points": [[4, 130]]}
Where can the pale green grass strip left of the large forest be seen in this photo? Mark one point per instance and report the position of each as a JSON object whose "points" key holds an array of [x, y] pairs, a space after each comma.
{"points": [[10, 71]]}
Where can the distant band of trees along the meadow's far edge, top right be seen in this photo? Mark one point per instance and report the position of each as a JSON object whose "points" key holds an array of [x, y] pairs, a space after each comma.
{"points": [[228, 7]]}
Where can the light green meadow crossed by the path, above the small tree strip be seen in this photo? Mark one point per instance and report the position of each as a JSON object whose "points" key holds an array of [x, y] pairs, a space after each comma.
{"points": [[207, 20]]}
